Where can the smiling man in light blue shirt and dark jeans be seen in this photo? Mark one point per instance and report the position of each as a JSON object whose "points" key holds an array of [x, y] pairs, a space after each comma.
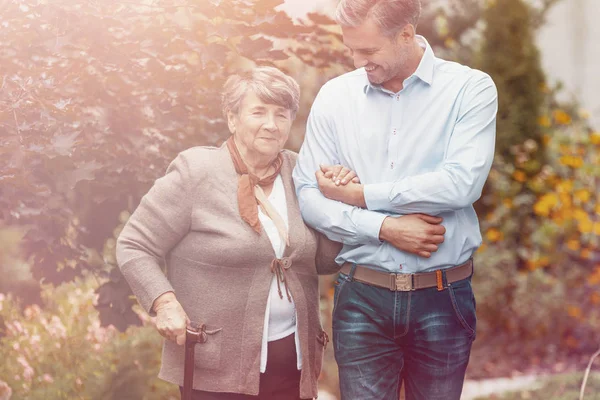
{"points": [[419, 132]]}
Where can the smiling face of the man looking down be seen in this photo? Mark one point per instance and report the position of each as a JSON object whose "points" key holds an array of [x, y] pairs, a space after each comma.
{"points": [[383, 58]]}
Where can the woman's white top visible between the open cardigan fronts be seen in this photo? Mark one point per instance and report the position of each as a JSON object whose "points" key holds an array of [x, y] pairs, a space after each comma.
{"points": [[280, 315]]}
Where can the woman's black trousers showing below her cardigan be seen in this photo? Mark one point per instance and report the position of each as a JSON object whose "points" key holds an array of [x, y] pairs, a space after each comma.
{"points": [[280, 381]]}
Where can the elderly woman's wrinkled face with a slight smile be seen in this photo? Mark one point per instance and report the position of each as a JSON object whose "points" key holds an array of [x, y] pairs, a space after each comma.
{"points": [[261, 128]]}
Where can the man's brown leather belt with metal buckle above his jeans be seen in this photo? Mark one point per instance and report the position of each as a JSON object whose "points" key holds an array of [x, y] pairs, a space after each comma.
{"points": [[409, 282]]}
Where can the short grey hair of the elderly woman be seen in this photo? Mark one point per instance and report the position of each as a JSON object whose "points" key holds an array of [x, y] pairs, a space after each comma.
{"points": [[270, 85]]}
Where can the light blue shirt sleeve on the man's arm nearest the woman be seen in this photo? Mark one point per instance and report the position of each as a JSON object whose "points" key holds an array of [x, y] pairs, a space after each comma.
{"points": [[338, 221]]}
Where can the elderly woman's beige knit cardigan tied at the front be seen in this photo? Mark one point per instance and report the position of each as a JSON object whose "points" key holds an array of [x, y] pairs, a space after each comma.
{"points": [[219, 269]]}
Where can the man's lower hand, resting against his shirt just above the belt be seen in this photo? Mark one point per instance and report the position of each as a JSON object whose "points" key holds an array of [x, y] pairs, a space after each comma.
{"points": [[418, 234]]}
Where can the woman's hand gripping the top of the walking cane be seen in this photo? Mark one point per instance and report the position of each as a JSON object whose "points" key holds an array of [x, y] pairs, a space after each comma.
{"points": [[171, 319]]}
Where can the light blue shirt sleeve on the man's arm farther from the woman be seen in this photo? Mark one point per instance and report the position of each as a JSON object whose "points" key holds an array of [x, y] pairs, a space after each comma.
{"points": [[459, 182]]}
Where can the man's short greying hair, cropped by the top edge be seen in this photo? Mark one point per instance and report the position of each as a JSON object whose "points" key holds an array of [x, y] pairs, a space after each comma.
{"points": [[389, 15]]}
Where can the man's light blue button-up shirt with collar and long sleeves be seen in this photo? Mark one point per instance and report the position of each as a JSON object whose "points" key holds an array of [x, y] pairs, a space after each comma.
{"points": [[426, 149]]}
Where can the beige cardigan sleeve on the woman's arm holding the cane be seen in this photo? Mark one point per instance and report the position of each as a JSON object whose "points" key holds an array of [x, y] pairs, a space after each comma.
{"points": [[159, 222]]}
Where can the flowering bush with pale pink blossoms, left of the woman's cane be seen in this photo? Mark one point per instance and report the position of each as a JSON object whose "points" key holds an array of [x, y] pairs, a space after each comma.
{"points": [[61, 351]]}
